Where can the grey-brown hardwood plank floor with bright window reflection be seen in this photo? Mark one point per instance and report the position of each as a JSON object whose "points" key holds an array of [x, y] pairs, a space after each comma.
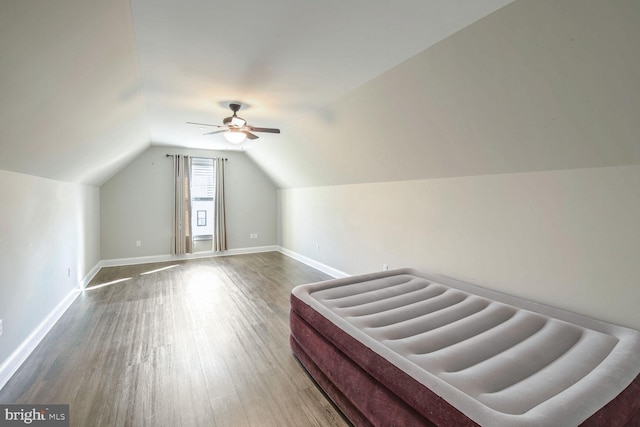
{"points": [[191, 343]]}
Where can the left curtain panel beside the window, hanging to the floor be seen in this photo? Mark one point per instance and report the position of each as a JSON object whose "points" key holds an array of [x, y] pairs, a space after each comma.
{"points": [[182, 242]]}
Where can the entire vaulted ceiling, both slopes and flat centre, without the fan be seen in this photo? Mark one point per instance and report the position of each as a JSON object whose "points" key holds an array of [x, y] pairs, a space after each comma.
{"points": [[362, 91]]}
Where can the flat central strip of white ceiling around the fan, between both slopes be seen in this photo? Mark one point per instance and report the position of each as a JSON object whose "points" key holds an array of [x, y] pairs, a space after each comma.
{"points": [[283, 59]]}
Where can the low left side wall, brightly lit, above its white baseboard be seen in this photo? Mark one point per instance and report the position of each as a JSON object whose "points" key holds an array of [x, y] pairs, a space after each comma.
{"points": [[50, 241]]}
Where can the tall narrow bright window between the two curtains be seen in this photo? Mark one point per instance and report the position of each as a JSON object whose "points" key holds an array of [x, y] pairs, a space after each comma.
{"points": [[202, 191]]}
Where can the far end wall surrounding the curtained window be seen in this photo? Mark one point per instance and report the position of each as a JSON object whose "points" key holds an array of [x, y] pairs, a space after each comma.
{"points": [[137, 204]]}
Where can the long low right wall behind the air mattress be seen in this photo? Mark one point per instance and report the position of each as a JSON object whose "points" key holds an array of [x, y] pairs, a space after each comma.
{"points": [[568, 238]]}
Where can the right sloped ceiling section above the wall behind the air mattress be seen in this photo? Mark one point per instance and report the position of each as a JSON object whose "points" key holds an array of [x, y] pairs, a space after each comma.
{"points": [[536, 86]]}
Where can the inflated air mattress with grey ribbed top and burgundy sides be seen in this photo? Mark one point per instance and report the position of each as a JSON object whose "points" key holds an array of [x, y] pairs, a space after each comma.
{"points": [[408, 348]]}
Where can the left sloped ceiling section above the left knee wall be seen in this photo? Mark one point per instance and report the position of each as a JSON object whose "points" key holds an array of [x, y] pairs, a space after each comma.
{"points": [[71, 104]]}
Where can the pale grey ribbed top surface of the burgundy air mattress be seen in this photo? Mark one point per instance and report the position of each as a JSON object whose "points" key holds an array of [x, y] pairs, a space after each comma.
{"points": [[500, 360]]}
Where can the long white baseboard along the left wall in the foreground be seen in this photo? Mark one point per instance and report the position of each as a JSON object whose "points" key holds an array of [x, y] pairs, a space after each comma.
{"points": [[15, 360]]}
